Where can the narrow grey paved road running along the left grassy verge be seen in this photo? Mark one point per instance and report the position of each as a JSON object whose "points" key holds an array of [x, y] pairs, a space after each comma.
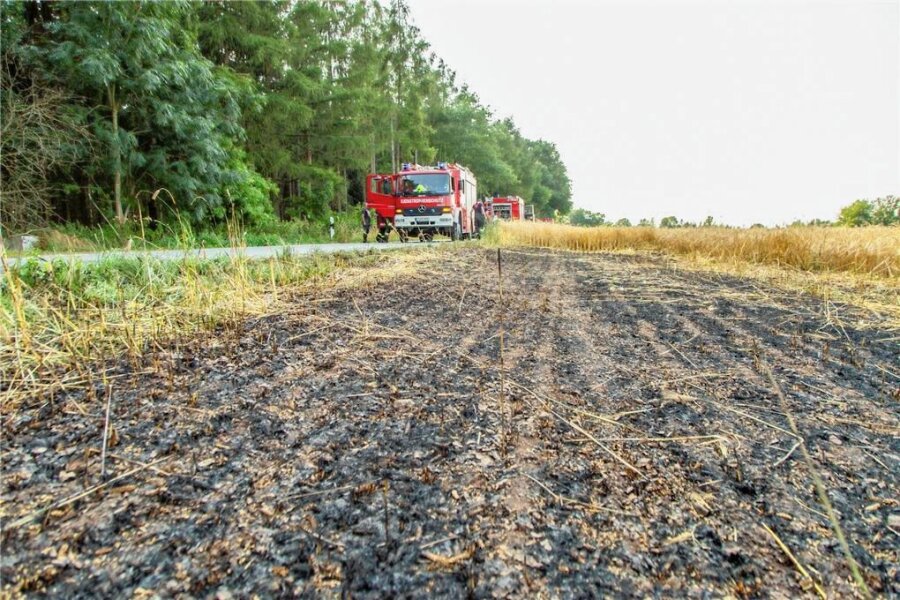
{"points": [[254, 252]]}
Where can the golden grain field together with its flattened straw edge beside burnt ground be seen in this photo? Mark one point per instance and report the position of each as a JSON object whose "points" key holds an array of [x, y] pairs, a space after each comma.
{"points": [[859, 266]]}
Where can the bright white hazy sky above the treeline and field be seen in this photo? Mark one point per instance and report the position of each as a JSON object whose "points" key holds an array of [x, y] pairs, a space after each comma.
{"points": [[748, 111]]}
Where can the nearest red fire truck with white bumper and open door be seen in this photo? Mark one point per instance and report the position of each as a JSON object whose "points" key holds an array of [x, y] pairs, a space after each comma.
{"points": [[423, 201]]}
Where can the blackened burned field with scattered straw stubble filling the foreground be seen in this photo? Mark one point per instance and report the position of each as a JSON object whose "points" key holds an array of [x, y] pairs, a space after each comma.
{"points": [[363, 440]]}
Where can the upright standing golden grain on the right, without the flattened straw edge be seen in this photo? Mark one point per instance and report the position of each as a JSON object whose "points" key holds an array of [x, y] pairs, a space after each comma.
{"points": [[871, 251]]}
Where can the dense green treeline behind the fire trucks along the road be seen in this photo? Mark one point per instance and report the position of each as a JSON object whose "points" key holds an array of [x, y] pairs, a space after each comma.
{"points": [[271, 110]]}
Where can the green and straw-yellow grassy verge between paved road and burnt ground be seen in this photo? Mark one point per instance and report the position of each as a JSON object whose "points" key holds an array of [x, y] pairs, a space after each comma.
{"points": [[57, 319]]}
